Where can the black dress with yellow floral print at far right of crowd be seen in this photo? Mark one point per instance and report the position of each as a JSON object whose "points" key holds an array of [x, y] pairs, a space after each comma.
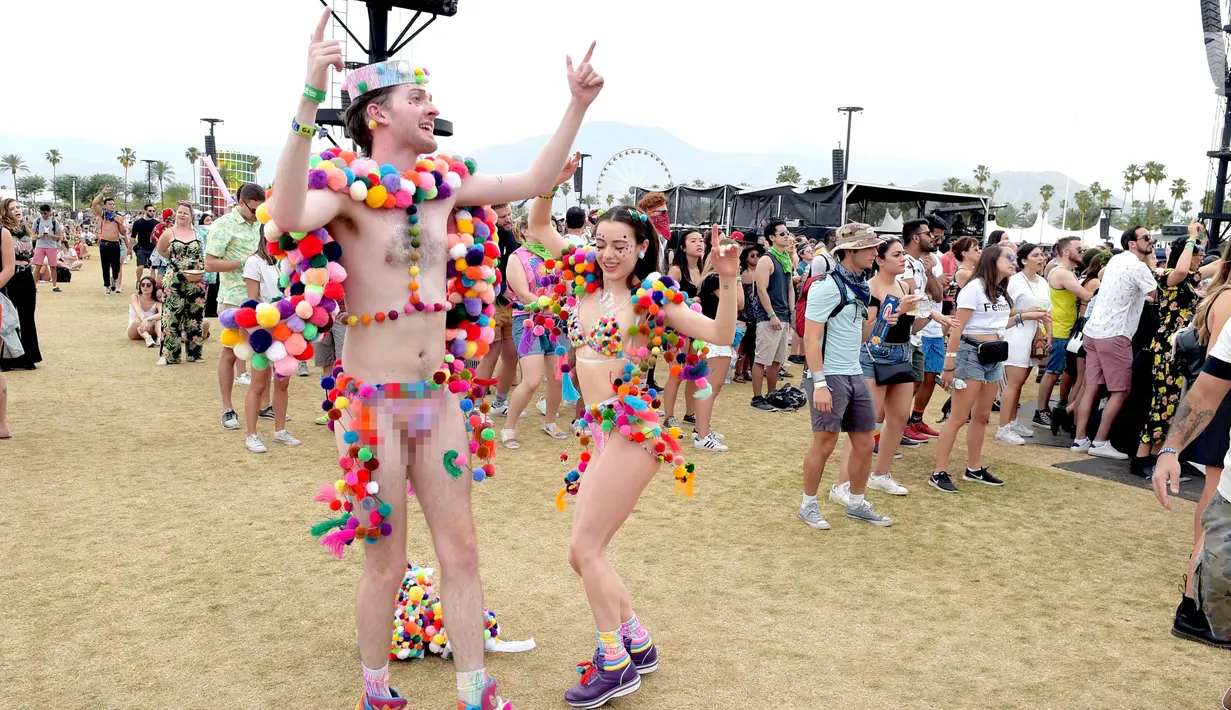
{"points": [[1176, 308]]}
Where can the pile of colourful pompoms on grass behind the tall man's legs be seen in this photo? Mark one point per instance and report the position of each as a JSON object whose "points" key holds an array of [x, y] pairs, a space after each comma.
{"points": [[419, 622]]}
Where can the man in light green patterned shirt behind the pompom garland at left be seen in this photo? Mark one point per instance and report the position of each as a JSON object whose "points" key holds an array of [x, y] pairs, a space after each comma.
{"points": [[232, 239]]}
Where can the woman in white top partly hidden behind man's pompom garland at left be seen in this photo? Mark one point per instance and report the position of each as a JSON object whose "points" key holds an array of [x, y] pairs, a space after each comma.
{"points": [[262, 276]]}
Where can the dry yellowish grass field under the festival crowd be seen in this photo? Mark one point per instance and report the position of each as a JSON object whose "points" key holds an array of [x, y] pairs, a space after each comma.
{"points": [[153, 563]]}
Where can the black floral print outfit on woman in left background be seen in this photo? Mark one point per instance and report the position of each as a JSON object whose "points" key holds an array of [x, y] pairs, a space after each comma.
{"points": [[184, 305]]}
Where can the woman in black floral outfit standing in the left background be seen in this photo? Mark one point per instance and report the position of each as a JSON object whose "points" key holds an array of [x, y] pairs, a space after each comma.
{"points": [[184, 307]]}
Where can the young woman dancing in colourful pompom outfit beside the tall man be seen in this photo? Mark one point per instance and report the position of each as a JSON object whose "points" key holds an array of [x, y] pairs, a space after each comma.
{"points": [[630, 439]]}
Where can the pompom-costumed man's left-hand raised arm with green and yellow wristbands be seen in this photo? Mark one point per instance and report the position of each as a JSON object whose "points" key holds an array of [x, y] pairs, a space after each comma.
{"points": [[291, 206]]}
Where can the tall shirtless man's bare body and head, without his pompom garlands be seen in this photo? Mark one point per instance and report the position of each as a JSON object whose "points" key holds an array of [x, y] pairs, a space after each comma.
{"points": [[395, 125]]}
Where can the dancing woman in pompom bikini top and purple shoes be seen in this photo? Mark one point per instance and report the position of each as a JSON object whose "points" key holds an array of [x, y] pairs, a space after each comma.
{"points": [[626, 255]]}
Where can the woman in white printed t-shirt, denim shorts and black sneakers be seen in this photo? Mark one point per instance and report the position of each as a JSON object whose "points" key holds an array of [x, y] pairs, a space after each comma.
{"points": [[984, 313]]}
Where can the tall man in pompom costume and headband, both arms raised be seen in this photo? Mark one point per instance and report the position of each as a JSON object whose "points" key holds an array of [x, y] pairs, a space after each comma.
{"points": [[395, 398]]}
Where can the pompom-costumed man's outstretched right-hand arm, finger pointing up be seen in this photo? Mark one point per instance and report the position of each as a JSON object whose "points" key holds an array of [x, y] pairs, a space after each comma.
{"points": [[584, 86]]}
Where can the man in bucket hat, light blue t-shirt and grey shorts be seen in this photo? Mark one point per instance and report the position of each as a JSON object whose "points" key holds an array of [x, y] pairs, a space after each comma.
{"points": [[835, 323]]}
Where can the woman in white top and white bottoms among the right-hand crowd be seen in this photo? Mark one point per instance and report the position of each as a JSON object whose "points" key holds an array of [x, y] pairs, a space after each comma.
{"points": [[1030, 293]]}
